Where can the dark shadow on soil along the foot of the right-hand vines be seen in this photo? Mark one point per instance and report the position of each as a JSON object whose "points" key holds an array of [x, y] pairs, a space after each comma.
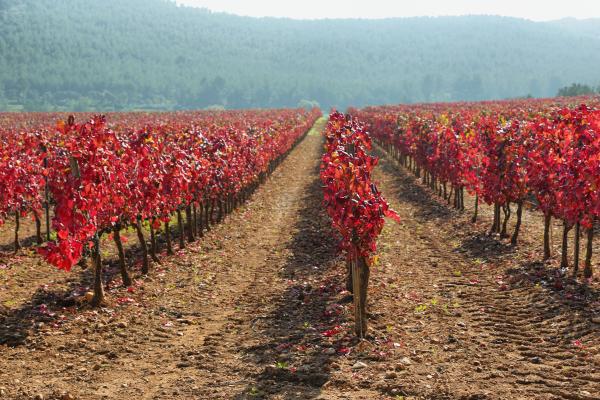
{"points": [[561, 295]]}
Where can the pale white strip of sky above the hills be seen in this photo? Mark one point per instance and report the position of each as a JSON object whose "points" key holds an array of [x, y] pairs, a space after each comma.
{"points": [[537, 10]]}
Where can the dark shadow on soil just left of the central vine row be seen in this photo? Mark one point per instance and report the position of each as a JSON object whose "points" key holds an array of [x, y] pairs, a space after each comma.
{"points": [[300, 309]]}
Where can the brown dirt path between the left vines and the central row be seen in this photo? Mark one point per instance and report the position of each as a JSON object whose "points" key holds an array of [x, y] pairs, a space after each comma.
{"points": [[215, 321]]}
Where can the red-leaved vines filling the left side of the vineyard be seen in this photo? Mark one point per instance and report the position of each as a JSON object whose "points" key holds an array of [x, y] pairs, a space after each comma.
{"points": [[144, 167]]}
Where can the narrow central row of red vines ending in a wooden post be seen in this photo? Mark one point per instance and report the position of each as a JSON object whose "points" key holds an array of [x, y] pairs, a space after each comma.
{"points": [[357, 209]]}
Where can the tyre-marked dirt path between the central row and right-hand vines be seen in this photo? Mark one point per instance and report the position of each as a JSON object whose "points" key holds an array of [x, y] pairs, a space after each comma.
{"points": [[462, 315]]}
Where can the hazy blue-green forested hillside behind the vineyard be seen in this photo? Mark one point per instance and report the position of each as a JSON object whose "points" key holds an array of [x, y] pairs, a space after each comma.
{"points": [[111, 54]]}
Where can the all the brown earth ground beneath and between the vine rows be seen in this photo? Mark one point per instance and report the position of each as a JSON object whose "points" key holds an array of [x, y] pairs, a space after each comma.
{"points": [[256, 309]]}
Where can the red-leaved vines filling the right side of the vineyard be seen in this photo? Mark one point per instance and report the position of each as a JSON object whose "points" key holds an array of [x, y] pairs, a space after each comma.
{"points": [[543, 152]]}
